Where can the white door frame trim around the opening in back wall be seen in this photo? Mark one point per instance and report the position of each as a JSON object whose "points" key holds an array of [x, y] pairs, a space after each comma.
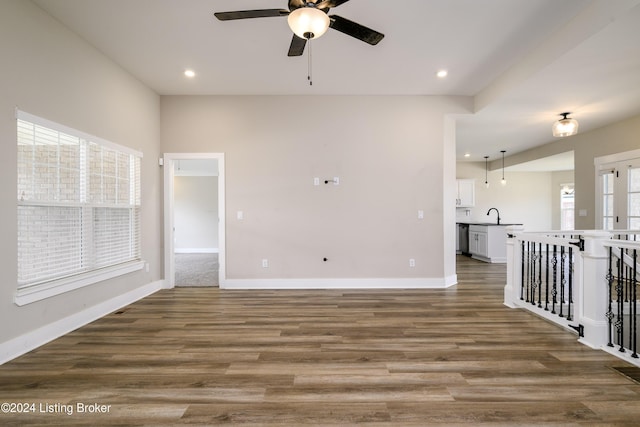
{"points": [[170, 160]]}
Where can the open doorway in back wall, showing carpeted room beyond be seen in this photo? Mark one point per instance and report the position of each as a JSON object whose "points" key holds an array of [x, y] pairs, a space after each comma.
{"points": [[194, 219]]}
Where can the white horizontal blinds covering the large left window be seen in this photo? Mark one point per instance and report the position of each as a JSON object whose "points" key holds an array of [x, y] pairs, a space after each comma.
{"points": [[78, 202]]}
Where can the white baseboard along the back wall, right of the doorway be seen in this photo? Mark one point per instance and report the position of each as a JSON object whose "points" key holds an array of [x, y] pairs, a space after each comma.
{"points": [[399, 283]]}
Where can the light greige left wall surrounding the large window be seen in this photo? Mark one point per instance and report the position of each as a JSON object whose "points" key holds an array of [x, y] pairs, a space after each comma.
{"points": [[48, 71]]}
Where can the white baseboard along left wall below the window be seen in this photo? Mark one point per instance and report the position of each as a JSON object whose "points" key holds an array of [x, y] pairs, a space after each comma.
{"points": [[24, 343]]}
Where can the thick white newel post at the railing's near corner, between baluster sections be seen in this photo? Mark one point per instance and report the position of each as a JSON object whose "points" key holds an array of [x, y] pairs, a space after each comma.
{"points": [[593, 299]]}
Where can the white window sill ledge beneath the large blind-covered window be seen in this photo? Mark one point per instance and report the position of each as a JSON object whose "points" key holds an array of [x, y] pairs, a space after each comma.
{"points": [[47, 290]]}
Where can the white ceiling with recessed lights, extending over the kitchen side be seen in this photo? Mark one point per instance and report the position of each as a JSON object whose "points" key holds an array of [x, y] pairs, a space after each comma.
{"points": [[524, 61]]}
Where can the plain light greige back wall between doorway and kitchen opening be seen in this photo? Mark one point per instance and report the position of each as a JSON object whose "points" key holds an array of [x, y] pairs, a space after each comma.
{"points": [[394, 156]]}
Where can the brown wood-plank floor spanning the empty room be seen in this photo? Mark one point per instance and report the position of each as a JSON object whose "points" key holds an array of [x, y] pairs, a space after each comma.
{"points": [[202, 356]]}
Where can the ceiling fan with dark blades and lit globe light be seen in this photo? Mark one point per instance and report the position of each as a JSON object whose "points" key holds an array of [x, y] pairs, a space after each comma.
{"points": [[309, 20]]}
